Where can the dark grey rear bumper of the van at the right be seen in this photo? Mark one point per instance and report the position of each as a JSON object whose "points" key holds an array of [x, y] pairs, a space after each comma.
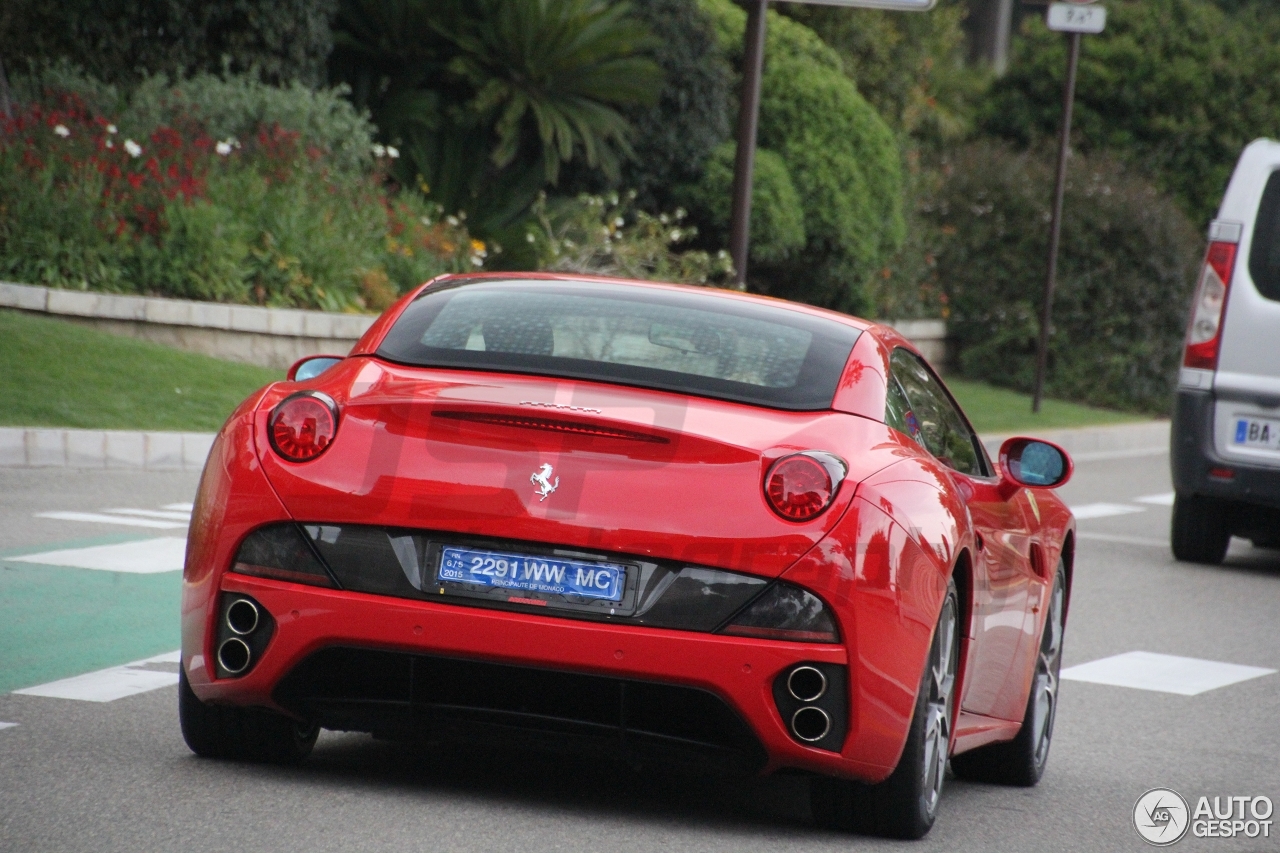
{"points": [[1194, 457]]}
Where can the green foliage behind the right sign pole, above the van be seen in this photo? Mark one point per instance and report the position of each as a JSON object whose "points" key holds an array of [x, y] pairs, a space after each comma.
{"points": [[1173, 86]]}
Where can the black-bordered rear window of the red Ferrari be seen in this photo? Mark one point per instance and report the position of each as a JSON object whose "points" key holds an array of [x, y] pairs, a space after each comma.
{"points": [[687, 341]]}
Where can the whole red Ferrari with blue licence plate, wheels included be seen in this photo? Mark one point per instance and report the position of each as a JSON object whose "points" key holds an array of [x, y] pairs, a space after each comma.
{"points": [[652, 521]]}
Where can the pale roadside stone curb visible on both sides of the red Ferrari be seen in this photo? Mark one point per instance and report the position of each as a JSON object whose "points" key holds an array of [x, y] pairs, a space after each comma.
{"points": [[156, 451]]}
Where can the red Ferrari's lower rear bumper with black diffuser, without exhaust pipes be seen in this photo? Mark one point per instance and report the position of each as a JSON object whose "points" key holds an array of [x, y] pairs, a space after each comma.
{"points": [[414, 642]]}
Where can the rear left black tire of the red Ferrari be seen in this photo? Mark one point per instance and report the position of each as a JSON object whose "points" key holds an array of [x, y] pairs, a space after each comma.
{"points": [[246, 735]]}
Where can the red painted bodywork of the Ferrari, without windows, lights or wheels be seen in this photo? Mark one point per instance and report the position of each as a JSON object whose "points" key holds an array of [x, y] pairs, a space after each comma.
{"points": [[900, 527]]}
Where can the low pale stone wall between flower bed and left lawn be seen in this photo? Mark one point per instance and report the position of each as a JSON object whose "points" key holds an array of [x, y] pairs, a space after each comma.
{"points": [[166, 312]]}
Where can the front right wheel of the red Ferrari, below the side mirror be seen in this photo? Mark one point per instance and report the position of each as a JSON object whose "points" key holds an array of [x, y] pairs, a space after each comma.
{"points": [[1022, 761]]}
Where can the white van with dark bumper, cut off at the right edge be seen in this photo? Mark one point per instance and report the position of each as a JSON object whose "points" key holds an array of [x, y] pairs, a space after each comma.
{"points": [[1226, 443]]}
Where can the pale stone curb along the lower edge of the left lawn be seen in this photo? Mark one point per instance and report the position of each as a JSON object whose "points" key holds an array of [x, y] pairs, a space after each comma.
{"points": [[106, 449]]}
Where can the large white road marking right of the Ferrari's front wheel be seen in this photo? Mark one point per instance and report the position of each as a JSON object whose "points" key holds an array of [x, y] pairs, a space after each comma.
{"points": [[1163, 673]]}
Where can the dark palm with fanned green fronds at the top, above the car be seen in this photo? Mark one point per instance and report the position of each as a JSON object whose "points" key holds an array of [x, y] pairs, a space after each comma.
{"points": [[490, 98]]}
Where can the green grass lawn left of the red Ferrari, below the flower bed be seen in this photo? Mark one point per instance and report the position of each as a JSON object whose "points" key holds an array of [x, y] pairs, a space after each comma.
{"points": [[54, 373]]}
